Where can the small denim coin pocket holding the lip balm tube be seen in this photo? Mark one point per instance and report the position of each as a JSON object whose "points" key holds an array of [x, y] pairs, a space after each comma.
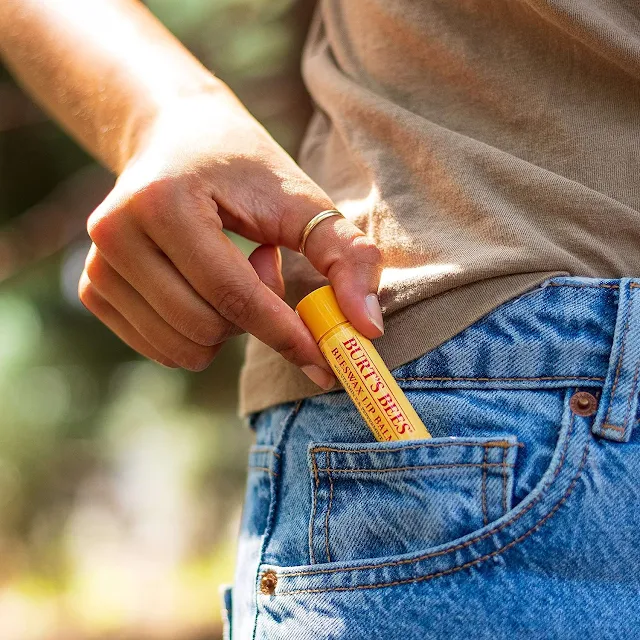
{"points": [[390, 498]]}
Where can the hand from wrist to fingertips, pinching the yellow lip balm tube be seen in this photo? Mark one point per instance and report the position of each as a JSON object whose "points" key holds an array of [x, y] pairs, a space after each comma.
{"points": [[166, 279]]}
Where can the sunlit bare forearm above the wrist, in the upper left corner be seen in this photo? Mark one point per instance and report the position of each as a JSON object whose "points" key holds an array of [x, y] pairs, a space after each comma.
{"points": [[102, 68]]}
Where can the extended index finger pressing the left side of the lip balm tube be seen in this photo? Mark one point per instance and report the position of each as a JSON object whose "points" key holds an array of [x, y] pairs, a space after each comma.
{"points": [[219, 272]]}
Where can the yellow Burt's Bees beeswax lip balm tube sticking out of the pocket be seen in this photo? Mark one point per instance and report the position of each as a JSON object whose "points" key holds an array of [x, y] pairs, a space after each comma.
{"points": [[360, 369]]}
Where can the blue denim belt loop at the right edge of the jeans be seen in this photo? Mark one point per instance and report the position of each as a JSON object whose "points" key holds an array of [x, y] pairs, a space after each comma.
{"points": [[619, 401]]}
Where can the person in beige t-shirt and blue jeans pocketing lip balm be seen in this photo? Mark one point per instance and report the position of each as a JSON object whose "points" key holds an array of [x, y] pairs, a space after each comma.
{"points": [[485, 159]]}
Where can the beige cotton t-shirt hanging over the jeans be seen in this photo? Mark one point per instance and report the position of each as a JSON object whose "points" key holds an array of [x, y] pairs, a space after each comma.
{"points": [[484, 144]]}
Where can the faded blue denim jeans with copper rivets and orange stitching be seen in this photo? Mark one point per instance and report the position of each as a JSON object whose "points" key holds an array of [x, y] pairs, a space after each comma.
{"points": [[519, 519]]}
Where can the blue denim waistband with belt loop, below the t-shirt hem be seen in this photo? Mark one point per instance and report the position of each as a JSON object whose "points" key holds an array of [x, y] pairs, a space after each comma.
{"points": [[569, 331]]}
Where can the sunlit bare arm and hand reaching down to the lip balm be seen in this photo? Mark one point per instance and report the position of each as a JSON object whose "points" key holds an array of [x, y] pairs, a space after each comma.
{"points": [[190, 160]]}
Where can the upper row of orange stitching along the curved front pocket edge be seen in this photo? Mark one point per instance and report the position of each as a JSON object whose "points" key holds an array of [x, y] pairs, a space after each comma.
{"points": [[468, 543]]}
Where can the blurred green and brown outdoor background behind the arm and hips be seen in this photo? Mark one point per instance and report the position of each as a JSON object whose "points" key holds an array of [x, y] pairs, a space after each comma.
{"points": [[120, 481]]}
